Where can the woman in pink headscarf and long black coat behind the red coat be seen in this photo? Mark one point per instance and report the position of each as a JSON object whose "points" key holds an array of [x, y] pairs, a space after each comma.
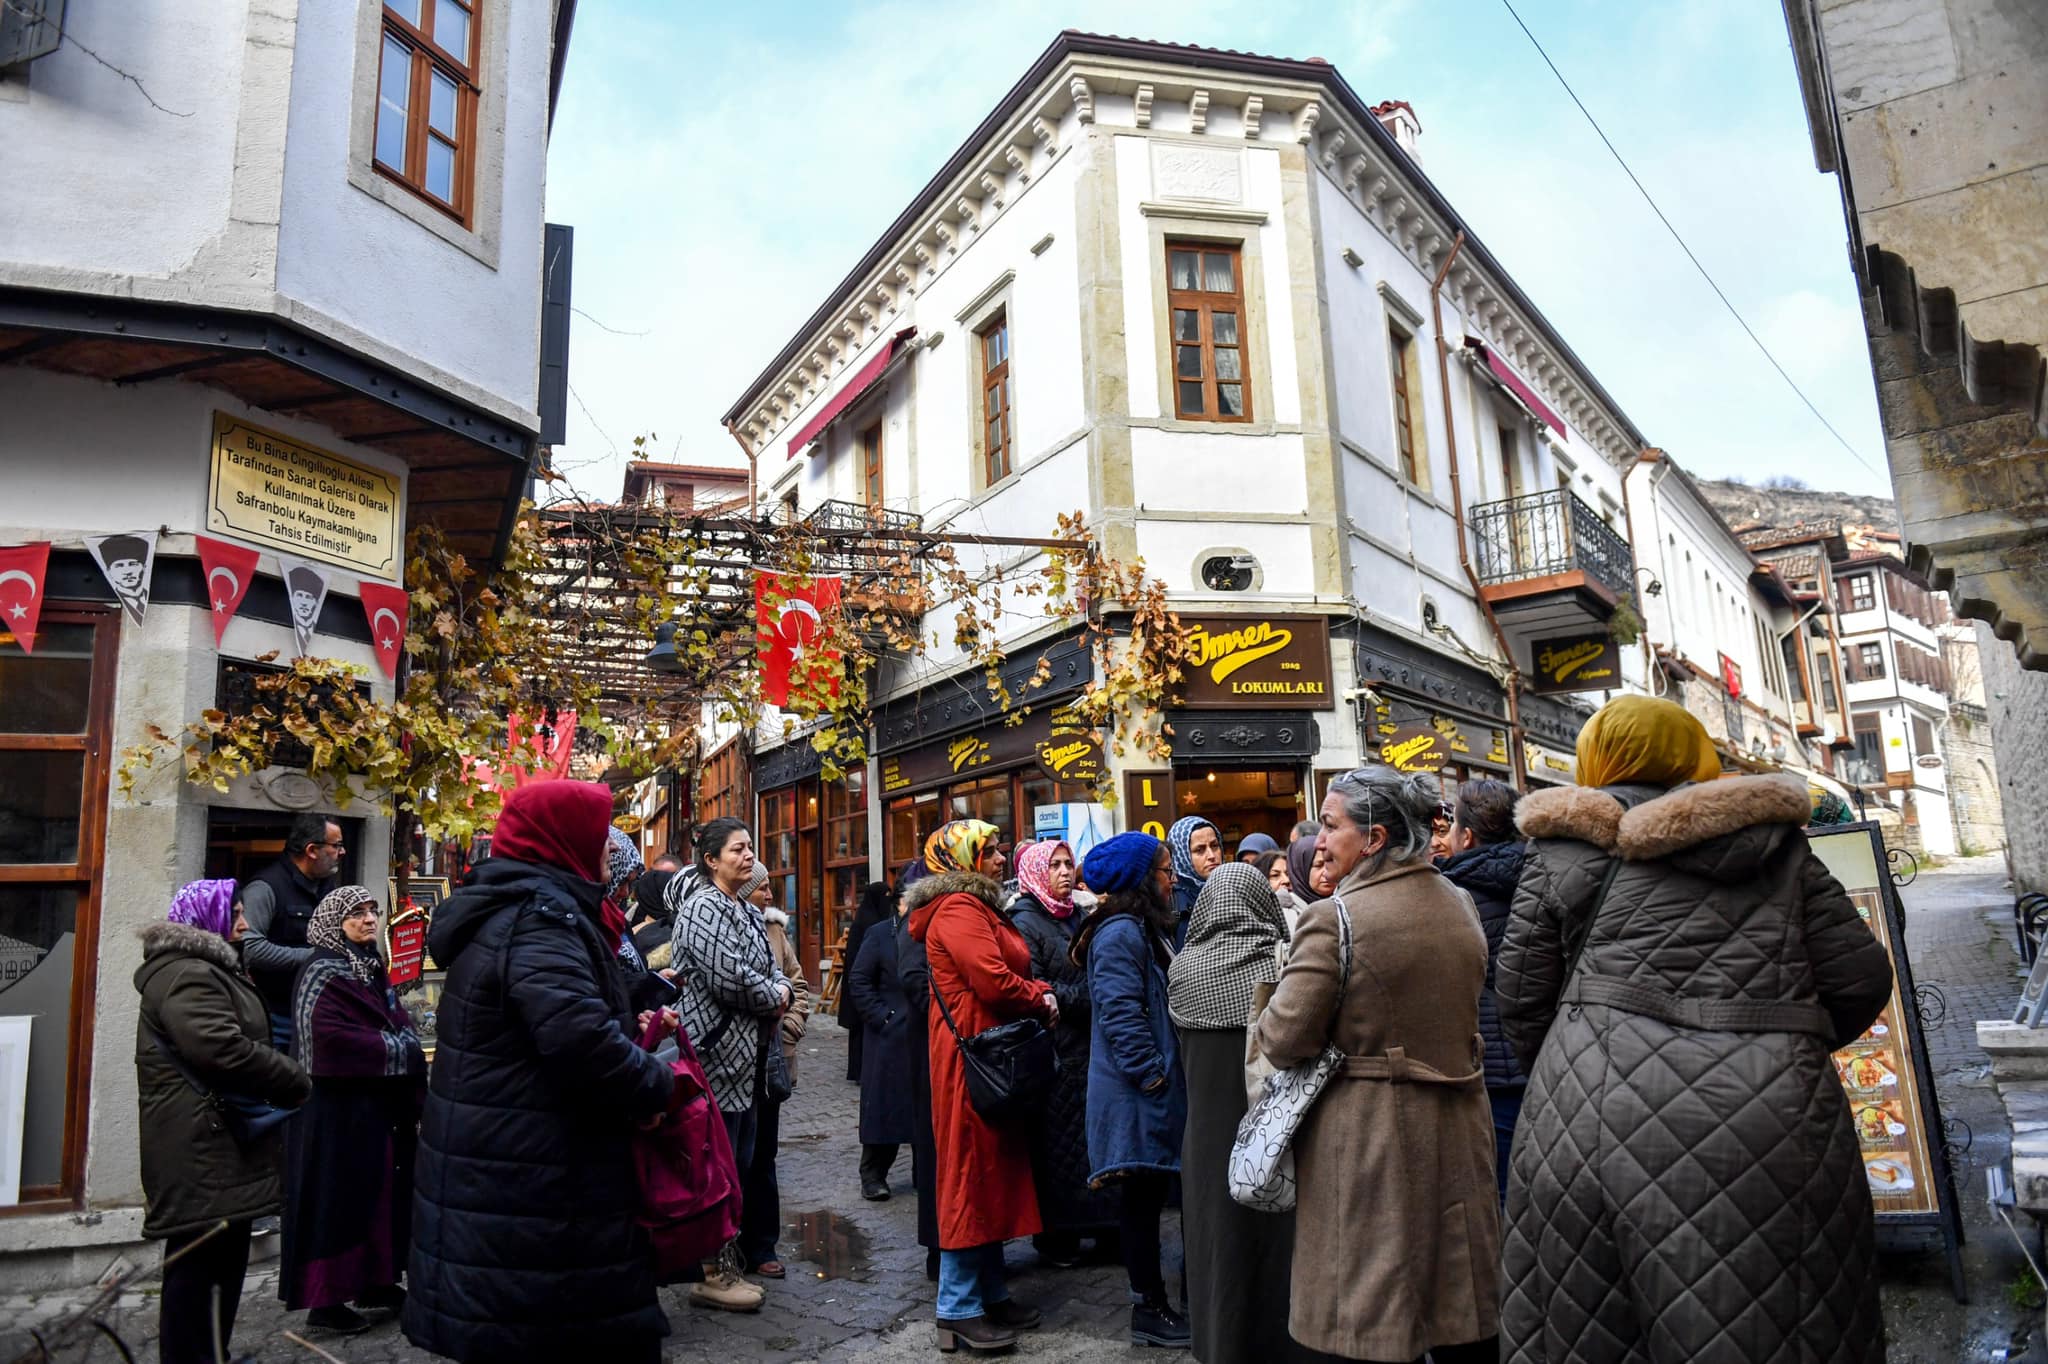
{"points": [[1046, 914]]}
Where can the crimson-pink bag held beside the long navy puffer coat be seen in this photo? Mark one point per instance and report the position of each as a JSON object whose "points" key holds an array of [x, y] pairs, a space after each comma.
{"points": [[687, 1173]]}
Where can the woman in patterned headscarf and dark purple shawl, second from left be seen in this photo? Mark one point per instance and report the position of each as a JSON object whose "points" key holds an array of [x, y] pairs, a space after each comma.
{"points": [[349, 1158]]}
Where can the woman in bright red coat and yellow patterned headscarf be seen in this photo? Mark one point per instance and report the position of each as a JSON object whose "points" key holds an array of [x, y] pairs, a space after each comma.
{"points": [[982, 972]]}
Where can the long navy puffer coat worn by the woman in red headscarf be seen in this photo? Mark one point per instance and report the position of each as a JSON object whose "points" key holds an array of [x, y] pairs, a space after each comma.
{"points": [[525, 1244]]}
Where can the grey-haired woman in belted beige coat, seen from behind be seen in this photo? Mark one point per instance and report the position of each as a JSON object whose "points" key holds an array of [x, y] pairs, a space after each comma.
{"points": [[1398, 1230]]}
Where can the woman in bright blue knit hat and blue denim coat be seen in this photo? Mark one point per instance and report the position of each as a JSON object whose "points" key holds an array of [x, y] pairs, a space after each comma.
{"points": [[1138, 1105]]}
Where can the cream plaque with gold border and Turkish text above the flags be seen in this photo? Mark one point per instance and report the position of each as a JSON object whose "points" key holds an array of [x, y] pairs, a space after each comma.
{"points": [[273, 491]]}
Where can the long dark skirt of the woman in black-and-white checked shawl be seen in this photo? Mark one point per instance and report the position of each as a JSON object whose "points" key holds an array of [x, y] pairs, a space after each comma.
{"points": [[1238, 1261]]}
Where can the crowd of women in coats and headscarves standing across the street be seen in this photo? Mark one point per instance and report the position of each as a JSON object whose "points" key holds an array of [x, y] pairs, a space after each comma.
{"points": [[1580, 1095]]}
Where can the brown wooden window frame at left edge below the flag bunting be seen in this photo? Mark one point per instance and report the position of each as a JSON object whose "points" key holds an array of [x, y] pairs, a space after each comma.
{"points": [[87, 876]]}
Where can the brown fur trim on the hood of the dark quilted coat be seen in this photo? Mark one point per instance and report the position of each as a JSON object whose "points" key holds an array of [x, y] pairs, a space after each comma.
{"points": [[1715, 830]]}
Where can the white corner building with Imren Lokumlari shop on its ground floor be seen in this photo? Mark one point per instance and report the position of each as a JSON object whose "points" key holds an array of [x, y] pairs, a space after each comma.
{"points": [[1189, 294]]}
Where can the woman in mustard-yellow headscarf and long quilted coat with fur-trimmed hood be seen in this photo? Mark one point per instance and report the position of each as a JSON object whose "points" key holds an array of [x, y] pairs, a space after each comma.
{"points": [[1684, 1183]]}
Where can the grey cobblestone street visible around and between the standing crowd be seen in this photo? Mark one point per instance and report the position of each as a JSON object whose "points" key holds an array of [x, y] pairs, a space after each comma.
{"points": [[857, 1289]]}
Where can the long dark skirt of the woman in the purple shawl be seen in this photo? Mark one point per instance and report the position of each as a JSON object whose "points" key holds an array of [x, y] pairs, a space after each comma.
{"points": [[349, 1191]]}
